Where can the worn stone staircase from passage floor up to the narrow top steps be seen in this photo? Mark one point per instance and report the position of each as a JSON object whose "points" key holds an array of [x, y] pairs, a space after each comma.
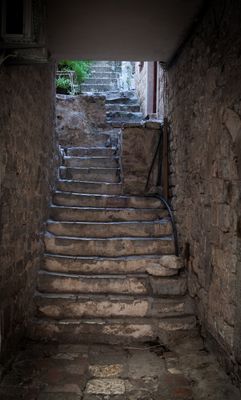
{"points": [[109, 272]]}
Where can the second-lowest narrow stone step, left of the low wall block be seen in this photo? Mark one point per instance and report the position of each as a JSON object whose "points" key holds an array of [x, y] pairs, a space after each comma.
{"points": [[111, 175]]}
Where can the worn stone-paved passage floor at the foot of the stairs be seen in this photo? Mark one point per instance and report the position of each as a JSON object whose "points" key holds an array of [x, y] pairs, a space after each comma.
{"points": [[98, 372]]}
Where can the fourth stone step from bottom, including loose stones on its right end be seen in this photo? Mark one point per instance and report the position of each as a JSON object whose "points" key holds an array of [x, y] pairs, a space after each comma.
{"points": [[152, 264]]}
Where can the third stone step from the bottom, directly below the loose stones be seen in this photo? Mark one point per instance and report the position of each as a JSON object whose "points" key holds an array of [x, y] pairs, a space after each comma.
{"points": [[142, 284]]}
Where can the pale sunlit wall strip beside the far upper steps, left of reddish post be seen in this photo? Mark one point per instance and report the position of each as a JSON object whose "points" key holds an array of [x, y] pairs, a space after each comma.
{"points": [[140, 85]]}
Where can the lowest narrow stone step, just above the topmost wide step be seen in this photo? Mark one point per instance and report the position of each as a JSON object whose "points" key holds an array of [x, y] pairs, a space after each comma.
{"points": [[89, 187]]}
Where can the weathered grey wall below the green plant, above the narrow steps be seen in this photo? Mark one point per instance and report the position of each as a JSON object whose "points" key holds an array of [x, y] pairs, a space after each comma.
{"points": [[79, 117]]}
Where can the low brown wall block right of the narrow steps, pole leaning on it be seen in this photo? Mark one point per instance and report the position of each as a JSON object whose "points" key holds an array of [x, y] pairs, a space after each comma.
{"points": [[138, 147]]}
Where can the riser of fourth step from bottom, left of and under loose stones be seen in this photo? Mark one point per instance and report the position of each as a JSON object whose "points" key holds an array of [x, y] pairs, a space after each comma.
{"points": [[106, 266]]}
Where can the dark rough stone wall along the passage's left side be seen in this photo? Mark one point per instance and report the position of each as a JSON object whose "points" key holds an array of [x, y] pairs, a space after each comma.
{"points": [[26, 176]]}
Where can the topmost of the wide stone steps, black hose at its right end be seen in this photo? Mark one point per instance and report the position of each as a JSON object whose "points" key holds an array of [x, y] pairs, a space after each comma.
{"points": [[98, 200]]}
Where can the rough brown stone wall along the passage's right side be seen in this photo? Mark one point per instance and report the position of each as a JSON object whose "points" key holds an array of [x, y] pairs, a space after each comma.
{"points": [[204, 109]]}
